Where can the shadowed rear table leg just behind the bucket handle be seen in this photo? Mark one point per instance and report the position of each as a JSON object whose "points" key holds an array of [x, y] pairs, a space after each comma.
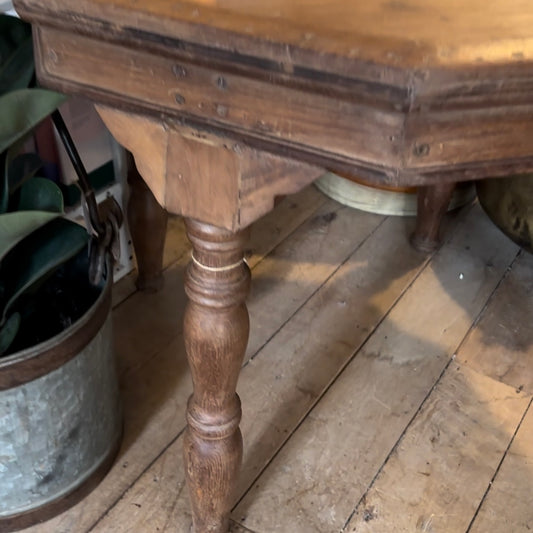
{"points": [[148, 224]]}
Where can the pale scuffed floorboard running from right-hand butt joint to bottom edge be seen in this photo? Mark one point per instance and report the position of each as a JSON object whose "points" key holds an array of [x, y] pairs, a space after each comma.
{"points": [[438, 473]]}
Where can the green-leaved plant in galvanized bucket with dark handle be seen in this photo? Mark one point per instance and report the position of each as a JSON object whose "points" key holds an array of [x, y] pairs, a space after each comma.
{"points": [[59, 415]]}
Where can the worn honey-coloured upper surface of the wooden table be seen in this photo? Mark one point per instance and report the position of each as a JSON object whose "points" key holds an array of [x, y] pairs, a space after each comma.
{"points": [[407, 32]]}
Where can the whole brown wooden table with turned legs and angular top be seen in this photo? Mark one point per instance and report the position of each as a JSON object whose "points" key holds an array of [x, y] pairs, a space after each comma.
{"points": [[227, 104]]}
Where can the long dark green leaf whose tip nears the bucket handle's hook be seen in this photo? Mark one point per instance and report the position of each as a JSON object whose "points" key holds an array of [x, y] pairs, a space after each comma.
{"points": [[38, 255]]}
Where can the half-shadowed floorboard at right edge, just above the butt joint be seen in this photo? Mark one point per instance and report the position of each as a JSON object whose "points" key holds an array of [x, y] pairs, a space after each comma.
{"points": [[502, 342]]}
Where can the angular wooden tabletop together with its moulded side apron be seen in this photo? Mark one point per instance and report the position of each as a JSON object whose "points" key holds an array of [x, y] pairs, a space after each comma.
{"points": [[403, 91]]}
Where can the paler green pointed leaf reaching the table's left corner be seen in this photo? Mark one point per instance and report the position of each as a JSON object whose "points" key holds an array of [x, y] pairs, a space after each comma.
{"points": [[22, 110]]}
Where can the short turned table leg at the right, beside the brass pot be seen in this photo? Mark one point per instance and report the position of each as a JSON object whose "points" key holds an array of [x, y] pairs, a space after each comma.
{"points": [[433, 203]]}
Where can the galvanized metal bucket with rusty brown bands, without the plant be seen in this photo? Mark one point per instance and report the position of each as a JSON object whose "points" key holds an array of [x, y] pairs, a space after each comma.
{"points": [[60, 419]]}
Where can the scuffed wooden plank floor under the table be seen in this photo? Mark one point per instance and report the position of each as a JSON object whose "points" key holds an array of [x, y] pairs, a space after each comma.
{"points": [[383, 391]]}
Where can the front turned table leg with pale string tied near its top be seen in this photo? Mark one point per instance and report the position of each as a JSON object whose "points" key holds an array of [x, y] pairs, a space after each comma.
{"points": [[216, 334]]}
